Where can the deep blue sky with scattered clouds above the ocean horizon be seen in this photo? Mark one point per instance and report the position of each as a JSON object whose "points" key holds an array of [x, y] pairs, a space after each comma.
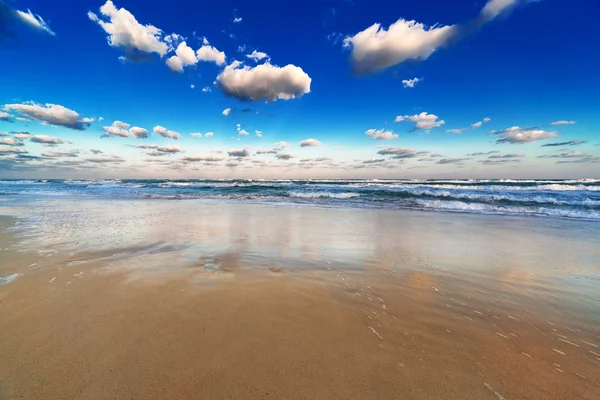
{"points": [[300, 89]]}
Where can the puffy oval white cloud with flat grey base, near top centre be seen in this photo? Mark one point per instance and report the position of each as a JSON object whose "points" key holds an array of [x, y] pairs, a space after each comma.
{"points": [[263, 82]]}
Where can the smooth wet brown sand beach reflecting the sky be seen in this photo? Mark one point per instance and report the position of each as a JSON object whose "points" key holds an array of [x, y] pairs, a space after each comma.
{"points": [[188, 299]]}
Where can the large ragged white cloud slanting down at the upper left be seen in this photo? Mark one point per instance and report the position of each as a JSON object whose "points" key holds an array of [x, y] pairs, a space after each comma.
{"points": [[126, 32]]}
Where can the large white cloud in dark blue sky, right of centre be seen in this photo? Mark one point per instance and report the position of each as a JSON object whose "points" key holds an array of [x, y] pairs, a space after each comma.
{"points": [[375, 48]]}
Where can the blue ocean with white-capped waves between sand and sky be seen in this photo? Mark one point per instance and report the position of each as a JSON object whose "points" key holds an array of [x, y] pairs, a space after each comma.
{"points": [[577, 198]]}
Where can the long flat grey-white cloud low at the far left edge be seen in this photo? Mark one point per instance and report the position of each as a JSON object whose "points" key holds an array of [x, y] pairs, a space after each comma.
{"points": [[52, 114]]}
